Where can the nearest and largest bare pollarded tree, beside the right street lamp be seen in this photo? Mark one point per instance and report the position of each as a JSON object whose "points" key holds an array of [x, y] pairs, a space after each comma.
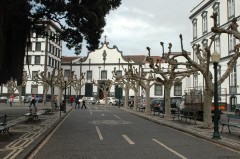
{"points": [[203, 65]]}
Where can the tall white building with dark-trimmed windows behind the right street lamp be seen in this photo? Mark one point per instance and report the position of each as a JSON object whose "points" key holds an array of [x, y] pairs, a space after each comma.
{"points": [[201, 25]]}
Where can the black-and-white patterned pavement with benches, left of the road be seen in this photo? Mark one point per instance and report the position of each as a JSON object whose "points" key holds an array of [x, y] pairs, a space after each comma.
{"points": [[26, 135]]}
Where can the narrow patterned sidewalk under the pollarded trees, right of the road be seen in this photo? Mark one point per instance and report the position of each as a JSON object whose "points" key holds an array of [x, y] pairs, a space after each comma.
{"points": [[229, 140]]}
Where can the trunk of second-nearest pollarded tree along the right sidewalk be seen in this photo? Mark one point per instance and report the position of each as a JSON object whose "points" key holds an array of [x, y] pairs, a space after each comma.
{"points": [[167, 98]]}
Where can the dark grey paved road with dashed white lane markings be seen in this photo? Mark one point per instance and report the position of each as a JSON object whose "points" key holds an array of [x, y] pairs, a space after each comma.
{"points": [[108, 132]]}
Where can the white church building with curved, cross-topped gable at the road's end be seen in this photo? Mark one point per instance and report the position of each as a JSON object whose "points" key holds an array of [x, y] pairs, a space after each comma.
{"points": [[99, 64]]}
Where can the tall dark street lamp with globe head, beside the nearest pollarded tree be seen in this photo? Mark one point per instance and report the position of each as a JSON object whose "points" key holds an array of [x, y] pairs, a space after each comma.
{"points": [[215, 59]]}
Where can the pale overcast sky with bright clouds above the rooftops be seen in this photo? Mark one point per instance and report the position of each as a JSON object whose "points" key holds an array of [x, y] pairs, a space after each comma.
{"points": [[137, 24]]}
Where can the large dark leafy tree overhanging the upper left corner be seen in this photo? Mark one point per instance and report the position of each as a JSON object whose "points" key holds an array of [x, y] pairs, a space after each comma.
{"points": [[78, 19]]}
